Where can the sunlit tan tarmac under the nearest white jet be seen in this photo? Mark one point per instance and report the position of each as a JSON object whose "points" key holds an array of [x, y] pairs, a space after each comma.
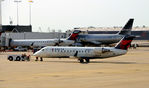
{"points": [[127, 71]]}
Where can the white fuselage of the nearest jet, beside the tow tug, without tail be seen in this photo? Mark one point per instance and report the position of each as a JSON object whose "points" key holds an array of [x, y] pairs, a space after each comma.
{"points": [[79, 52]]}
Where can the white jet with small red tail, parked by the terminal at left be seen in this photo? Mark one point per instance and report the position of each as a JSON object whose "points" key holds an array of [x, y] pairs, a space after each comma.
{"points": [[46, 42]]}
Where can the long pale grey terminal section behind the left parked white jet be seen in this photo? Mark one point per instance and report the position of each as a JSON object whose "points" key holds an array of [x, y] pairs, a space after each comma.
{"points": [[7, 36]]}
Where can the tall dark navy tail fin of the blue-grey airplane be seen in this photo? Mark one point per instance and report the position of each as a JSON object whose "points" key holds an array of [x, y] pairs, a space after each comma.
{"points": [[126, 30]]}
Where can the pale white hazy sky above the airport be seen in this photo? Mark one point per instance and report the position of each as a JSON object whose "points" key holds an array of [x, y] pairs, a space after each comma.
{"points": [[68, 14]]}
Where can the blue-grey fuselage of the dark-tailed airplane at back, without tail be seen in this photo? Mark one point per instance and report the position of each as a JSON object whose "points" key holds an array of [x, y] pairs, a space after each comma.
{"points": [[98, 39]]}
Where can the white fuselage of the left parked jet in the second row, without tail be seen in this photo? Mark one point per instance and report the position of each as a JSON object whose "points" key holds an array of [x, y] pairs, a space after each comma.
{"points": [[41, 42]]}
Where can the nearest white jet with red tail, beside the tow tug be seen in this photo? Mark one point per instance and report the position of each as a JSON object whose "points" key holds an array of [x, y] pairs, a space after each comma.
{"points": [[86, 53]]}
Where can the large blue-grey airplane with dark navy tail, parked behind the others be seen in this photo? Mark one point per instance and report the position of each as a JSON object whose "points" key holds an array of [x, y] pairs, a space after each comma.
{"points": [[104, 39]]}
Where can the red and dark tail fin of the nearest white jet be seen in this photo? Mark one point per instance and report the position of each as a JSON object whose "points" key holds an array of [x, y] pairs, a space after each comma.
{"points": [[125, 42]]}
